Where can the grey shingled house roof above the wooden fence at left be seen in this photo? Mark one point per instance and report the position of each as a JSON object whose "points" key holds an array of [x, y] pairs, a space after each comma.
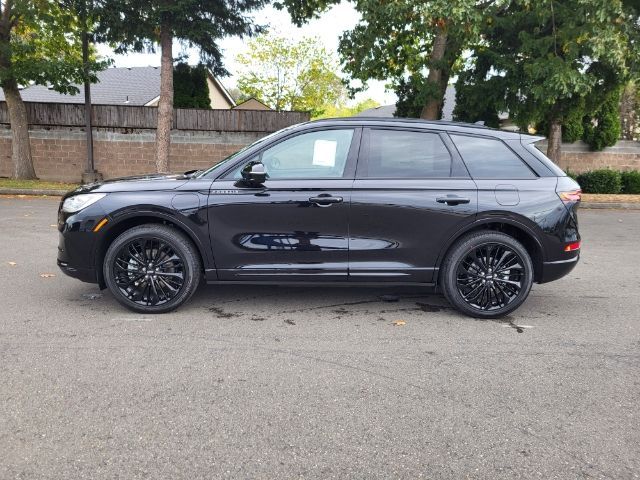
{"points": [[137, 86]]}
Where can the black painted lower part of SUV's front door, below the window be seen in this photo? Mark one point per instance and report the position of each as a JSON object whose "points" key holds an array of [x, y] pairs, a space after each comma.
{"points": [[276, 232]]}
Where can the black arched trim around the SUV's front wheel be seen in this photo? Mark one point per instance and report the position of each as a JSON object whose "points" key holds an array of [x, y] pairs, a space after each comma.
{"points": [[126, 222]]}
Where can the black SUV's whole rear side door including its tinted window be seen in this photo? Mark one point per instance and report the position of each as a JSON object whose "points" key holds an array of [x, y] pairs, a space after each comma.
{"points": [[411, 193]]}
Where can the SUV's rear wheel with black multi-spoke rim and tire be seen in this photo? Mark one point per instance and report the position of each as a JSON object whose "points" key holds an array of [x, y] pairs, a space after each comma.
{"points": [[474, 288]]}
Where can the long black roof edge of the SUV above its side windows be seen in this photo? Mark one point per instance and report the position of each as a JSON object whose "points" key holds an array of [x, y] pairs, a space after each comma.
{"points": [[460, 127]]}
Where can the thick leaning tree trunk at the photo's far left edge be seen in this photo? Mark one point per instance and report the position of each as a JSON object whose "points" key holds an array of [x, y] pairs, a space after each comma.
{"points": [[20, 146]]}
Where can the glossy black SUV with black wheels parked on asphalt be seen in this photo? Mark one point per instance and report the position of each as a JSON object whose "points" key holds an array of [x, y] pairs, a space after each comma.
{"points": [[479, 213]]}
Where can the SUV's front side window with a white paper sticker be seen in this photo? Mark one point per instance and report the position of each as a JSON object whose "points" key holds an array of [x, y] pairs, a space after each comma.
{"points": [[321, 154]]}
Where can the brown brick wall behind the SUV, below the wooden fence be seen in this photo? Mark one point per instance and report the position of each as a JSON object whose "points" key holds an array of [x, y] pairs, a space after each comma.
{"points": [[60, 154]]}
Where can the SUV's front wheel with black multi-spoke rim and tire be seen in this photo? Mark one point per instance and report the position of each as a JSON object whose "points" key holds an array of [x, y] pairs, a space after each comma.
{"points": [[152, 268]]}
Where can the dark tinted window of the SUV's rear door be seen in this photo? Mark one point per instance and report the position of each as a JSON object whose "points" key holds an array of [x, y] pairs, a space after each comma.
{"points": [[405, 154]]}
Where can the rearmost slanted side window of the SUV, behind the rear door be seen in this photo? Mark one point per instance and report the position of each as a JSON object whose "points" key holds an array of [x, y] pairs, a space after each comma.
{"points": [[488, 158]]}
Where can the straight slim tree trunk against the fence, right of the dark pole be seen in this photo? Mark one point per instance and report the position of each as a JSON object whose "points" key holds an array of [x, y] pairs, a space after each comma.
{"points": [[165, 104]]}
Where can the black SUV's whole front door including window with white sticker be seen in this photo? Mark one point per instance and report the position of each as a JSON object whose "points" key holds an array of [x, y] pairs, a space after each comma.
{"points": [[295, 225]]}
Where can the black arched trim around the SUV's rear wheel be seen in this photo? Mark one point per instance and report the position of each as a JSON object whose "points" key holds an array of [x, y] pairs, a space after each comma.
{"points": [[516, 229]]}
